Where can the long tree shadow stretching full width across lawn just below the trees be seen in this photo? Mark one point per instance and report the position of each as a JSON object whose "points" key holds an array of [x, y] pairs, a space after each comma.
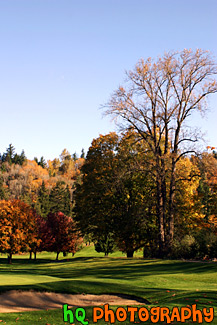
{"points": [[104, 268]]}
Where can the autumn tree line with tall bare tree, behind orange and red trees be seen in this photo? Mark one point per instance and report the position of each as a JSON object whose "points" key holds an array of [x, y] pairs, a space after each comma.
{"points": [[147, 187]]}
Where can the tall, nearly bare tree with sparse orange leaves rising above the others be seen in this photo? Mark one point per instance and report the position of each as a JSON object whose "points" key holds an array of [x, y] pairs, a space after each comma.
{"points": [[157, 102]]}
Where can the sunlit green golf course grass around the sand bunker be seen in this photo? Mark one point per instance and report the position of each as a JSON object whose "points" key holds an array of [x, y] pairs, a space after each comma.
{"points": [[161, 282]]}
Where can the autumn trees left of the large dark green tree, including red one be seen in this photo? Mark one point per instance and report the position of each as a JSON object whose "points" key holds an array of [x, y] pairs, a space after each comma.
{"points": [[36, 204]]}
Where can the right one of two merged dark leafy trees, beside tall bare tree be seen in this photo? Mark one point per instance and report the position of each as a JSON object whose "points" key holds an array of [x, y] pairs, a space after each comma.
{"points": [[134, 215]]}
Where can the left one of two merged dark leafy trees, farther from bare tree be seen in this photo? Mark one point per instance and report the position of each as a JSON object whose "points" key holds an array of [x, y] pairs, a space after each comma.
{"points": [[93, 197]]}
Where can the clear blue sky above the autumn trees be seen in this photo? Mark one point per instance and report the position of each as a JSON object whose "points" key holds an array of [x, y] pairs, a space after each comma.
{"points": [[61, 59]]}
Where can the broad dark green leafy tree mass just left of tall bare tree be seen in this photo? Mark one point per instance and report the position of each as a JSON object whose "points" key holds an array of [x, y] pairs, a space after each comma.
{"points": [[113, 203]]}
